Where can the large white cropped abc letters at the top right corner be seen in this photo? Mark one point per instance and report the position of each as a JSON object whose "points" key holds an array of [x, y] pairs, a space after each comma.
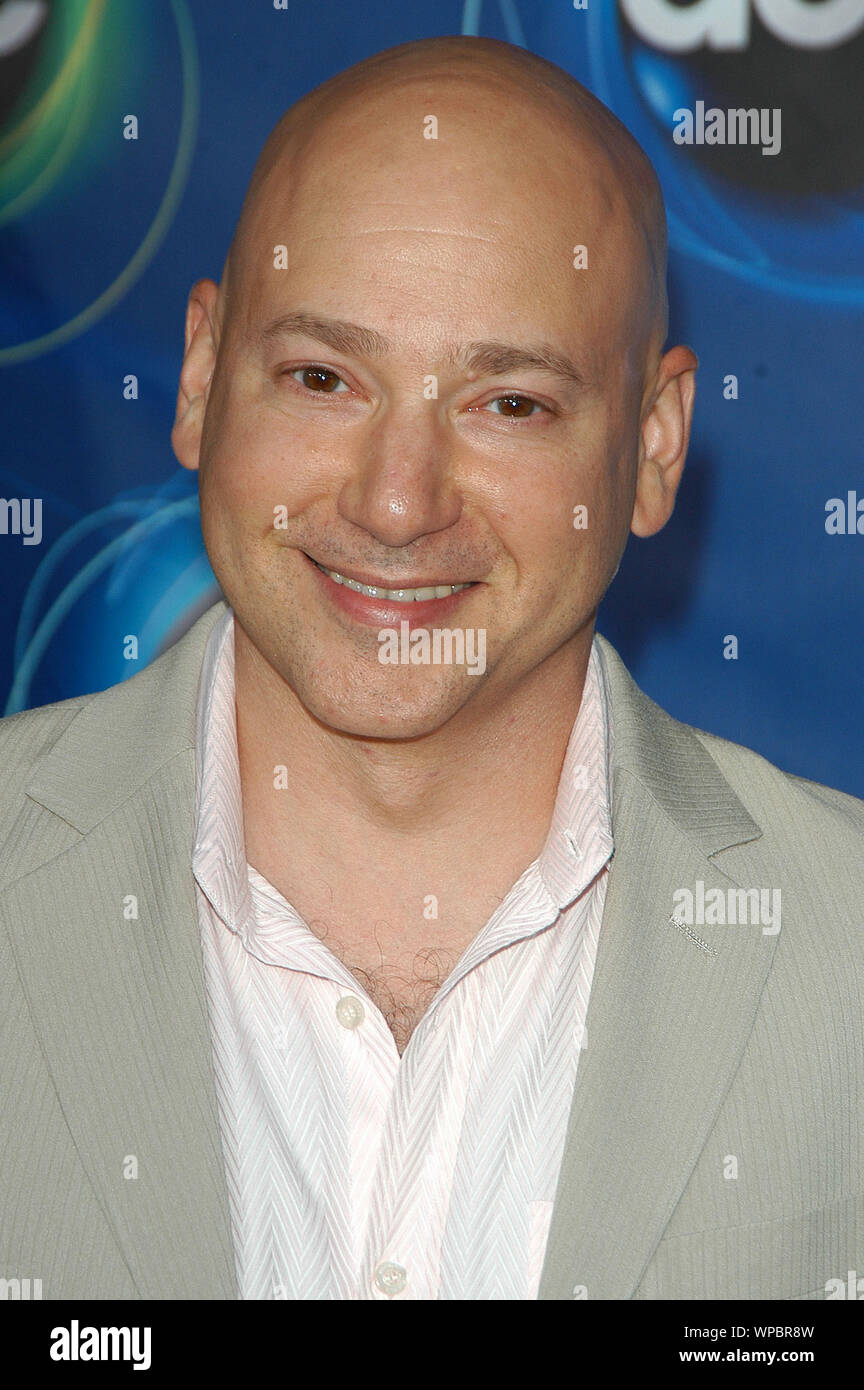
{"points": [[726, 24]]}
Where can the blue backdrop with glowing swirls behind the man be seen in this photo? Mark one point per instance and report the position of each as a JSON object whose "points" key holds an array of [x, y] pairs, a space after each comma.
{"points": [[102, 237]]}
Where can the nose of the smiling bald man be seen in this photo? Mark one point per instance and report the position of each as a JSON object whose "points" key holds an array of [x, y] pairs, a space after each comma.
{"points": [[402, 486]]}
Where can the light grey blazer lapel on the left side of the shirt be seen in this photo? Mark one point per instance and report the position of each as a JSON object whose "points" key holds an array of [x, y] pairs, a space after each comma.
{"points": [[110, 928]]}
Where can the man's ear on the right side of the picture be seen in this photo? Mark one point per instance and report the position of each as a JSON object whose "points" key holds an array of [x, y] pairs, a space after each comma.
{"points": [[666, 434]]}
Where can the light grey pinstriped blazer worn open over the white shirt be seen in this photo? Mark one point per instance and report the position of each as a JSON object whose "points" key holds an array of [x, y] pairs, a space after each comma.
{"points": [[715, 1145]]}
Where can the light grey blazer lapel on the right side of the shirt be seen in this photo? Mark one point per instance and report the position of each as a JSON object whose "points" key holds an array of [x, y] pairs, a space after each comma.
{"points": [[669, 1015]]}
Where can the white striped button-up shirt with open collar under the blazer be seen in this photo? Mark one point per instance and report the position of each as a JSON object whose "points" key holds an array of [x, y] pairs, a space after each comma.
{"points": [[358, 1174]]}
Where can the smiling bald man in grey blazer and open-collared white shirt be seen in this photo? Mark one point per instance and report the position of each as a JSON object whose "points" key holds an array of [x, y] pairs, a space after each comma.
{"points": [[383, 940]]}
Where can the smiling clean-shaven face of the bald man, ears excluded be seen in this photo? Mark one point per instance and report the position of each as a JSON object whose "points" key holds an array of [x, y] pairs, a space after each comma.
{"points": [[406, 468]]}
